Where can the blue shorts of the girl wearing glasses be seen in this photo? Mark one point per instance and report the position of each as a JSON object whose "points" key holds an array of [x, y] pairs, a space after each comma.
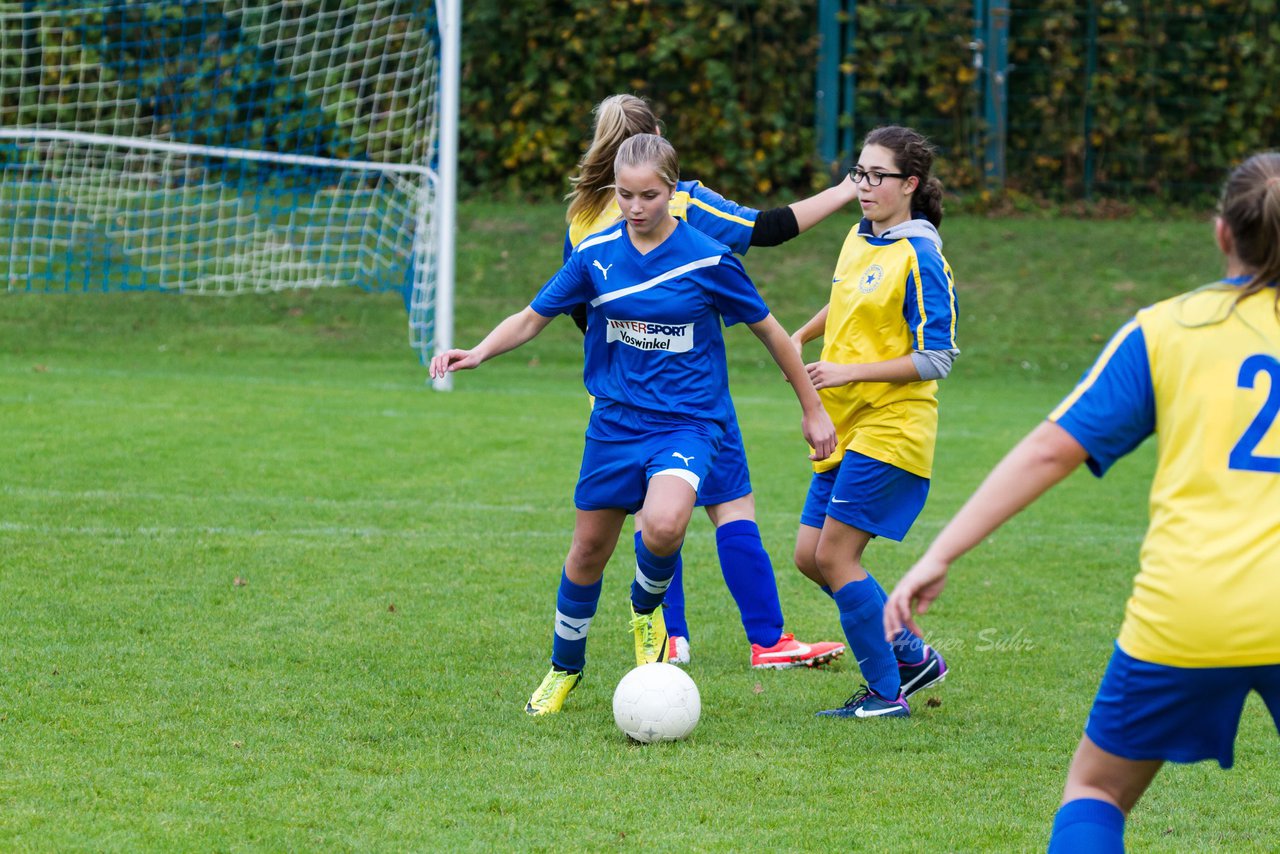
{"points": [[868, 495]]}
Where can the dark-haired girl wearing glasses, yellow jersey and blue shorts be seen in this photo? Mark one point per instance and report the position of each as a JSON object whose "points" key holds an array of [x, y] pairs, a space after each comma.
{"points": [[889, 336]]}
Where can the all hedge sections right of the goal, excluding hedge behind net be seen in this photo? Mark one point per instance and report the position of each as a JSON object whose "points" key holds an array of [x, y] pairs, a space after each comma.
{"points": [[1165, 101]]}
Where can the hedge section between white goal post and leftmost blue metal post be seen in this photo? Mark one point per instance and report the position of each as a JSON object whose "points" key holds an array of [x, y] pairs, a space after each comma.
{"points": [[734, 84]]}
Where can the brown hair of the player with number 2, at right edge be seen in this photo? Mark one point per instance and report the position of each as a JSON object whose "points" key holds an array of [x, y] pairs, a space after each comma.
{"points": [[1251, 211]]}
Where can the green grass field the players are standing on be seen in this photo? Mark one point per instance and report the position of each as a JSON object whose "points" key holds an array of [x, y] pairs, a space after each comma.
{"points": [[264, 591]]}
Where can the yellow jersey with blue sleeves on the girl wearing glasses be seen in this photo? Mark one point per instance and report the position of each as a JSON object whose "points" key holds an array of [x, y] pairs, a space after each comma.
{"points": [[890, 296]]}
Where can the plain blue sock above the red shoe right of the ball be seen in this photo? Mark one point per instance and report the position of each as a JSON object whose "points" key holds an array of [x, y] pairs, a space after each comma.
{"points": [[749, 578]]}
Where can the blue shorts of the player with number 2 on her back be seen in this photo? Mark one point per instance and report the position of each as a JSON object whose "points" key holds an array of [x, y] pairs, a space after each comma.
{"points": [[1148, 711]]}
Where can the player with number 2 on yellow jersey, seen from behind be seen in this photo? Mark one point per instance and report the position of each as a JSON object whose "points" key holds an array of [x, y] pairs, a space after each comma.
{"points": [[1200, 631]]}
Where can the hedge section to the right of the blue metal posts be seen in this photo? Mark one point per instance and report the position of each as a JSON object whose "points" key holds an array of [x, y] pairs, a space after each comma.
{"points": [[1172, 97]]}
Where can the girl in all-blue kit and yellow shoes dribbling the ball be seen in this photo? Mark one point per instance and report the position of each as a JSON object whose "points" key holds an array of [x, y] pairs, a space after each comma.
{"points": [[657, 294]]}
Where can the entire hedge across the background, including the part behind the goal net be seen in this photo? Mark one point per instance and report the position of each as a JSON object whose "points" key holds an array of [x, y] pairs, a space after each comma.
{"points": [[1117, 98]]}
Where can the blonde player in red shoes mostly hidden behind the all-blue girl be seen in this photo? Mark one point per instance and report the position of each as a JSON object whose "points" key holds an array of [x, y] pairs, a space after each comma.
{"points": [[728, 495]]}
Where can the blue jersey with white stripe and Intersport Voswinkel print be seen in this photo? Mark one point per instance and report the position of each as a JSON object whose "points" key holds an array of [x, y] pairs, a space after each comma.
{"points": [[655, 340]]}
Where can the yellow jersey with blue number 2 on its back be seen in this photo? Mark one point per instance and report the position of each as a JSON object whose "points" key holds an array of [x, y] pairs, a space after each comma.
{"points": [[1204, 373]]}
